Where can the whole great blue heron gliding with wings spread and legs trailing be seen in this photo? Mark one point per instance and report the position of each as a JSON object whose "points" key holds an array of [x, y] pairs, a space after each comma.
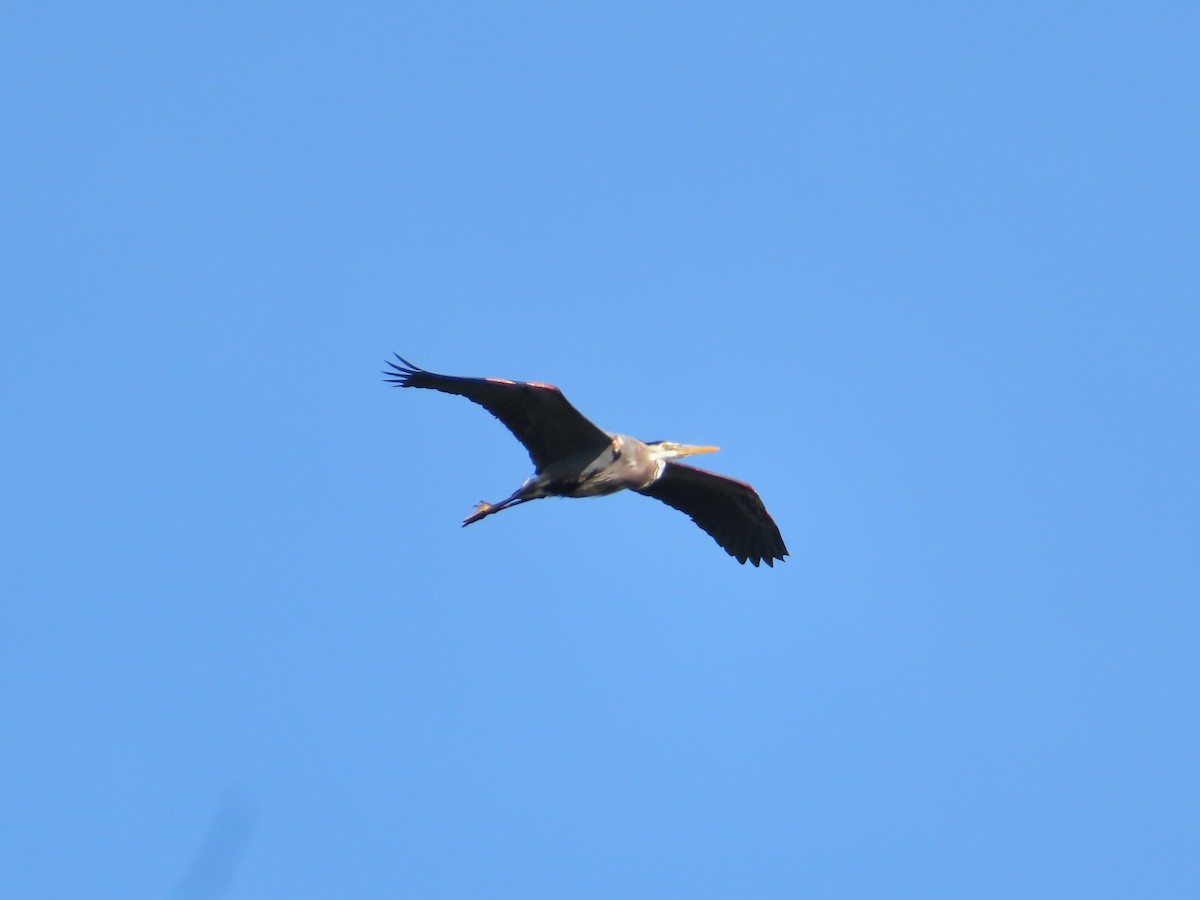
{"points": [[573, 458]]}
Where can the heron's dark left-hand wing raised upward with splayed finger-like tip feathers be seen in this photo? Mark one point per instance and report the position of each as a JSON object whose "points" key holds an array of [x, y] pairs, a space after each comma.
{"points": [[537, 415]]}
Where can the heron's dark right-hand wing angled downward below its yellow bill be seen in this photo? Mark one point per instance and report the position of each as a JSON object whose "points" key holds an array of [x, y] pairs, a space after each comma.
{"points": [[731, 512]]}
